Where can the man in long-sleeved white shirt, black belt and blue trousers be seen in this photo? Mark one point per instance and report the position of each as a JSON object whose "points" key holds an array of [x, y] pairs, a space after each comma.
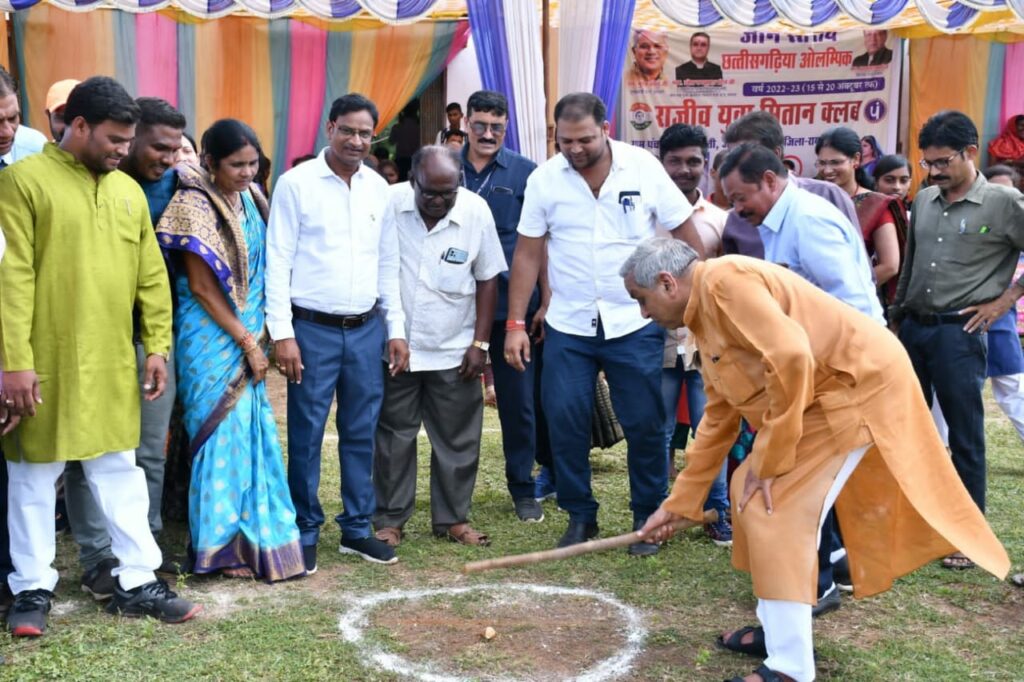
{"points": [[334, 312]]}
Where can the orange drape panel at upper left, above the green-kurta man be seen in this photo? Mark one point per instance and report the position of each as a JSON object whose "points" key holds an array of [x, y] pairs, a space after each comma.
{"points": [[59, 45]]}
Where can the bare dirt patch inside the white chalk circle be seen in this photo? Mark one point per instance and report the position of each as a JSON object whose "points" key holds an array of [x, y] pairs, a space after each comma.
{"points": [[537, 637]]}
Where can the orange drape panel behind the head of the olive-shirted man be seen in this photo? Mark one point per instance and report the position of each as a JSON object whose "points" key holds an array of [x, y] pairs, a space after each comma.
{"points": [[947, 73]]}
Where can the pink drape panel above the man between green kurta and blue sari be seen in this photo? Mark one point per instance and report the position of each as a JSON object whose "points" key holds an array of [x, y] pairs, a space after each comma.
{"points": [[157, 57]]}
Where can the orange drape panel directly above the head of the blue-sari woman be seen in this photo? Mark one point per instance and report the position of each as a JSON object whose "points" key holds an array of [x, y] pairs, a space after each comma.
{"points": [[233, 76]]}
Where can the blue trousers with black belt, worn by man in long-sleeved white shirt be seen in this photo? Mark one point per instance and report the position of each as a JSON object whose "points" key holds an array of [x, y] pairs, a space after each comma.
{"points": [[346, 363]]}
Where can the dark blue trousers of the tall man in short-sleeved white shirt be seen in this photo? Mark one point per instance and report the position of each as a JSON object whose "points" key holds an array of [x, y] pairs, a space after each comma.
{"points": [[632, 366]]}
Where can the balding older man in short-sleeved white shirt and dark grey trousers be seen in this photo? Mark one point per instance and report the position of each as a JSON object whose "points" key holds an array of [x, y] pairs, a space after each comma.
{"points": [[451, 259]]}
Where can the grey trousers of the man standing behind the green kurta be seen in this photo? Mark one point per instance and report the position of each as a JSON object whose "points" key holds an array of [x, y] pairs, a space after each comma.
{"points": [[88, 523]]}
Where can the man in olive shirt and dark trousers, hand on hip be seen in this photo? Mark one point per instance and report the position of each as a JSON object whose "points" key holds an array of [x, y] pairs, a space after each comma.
{"points": [[966, 236]]}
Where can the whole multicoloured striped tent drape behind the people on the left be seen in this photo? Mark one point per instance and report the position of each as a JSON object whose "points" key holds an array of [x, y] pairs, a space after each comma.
{"points": [[280, 76]]}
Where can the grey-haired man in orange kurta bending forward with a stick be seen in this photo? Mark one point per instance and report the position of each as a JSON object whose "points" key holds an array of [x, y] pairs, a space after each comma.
{"points": [[840, 418]]}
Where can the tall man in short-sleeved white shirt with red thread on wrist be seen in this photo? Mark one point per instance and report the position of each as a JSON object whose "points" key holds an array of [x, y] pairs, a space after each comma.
{"points": [[593, 204]]}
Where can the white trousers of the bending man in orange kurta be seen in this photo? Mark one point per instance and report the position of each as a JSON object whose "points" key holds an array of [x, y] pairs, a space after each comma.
{"points": [[788, 624]]}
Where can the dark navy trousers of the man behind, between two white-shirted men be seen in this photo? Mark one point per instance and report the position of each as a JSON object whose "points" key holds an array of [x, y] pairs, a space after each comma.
{"points": [[525, 434]]}
